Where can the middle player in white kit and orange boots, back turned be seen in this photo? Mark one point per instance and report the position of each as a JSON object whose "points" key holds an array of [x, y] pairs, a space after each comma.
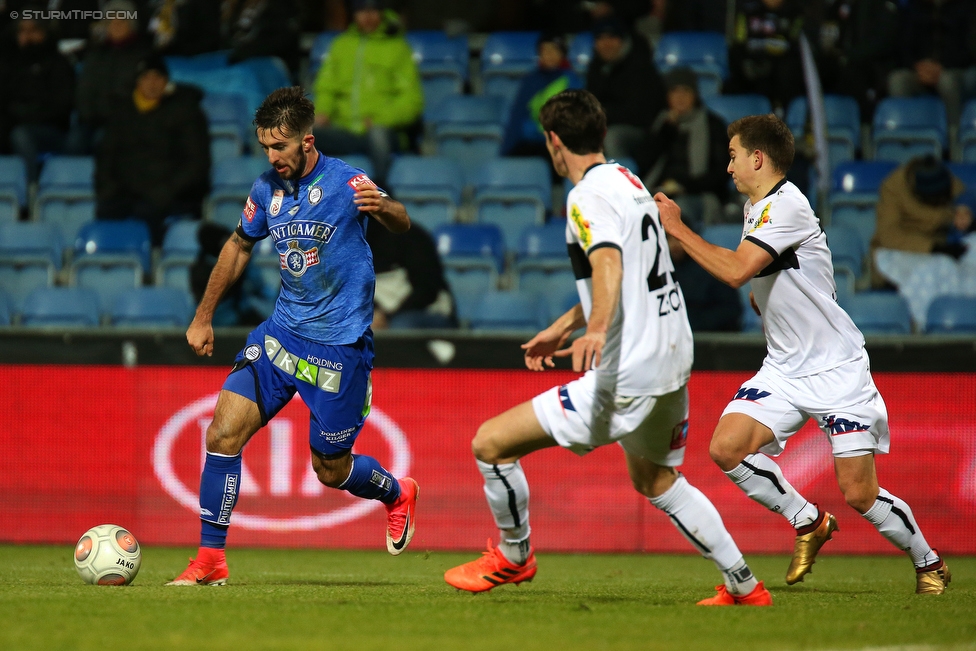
{"points": [[636, 353]]}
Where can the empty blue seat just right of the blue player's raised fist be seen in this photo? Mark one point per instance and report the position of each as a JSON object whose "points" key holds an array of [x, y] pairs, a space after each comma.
{"points": [[429, 186]]}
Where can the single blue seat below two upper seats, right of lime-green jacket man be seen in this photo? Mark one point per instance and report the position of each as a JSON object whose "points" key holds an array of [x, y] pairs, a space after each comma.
{"points": [[469, 129]]}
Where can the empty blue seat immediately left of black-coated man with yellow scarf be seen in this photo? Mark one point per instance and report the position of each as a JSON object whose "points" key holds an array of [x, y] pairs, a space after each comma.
{"points": [[66, 194]]}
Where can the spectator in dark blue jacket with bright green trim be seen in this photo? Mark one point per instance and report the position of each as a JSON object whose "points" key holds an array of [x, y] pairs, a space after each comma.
{"points": [[523, 133]]}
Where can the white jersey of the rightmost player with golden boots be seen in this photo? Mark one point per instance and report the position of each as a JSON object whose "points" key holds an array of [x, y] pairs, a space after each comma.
{"points": [[806, 330]]}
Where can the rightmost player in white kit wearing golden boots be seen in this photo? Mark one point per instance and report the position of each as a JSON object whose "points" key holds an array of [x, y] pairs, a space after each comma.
{"points": [[816, 366]]}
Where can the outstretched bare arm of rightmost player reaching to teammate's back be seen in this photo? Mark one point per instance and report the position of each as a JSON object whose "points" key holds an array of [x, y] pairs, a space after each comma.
{"points": [[734, 268]]}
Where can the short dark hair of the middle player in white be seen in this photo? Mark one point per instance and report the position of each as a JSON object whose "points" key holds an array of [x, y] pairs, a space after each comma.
{"points": [[576, 116]]}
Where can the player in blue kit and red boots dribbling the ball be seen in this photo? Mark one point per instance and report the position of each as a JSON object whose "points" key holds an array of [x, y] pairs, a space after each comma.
{"points": [[318, 340]]}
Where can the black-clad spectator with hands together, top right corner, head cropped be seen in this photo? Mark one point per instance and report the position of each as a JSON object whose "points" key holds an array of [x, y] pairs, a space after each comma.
{"points": [[938, 51]]}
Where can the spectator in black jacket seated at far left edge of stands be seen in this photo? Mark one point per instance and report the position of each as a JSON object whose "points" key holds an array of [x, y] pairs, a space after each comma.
{"points": [[36, 94]]}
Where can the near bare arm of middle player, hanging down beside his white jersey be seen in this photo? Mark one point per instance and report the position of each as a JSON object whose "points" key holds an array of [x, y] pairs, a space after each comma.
{"points": [[607, 276]]}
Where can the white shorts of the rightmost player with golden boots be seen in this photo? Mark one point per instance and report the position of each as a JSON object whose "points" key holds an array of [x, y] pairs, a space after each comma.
{"points": [[843, 401]]}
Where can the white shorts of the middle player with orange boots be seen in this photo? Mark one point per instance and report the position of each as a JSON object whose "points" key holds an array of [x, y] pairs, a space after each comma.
{"points": [[582, 417]]}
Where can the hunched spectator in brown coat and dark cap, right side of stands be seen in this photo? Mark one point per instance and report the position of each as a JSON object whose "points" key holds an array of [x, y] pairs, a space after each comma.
{"points": [[915, 211]]}
